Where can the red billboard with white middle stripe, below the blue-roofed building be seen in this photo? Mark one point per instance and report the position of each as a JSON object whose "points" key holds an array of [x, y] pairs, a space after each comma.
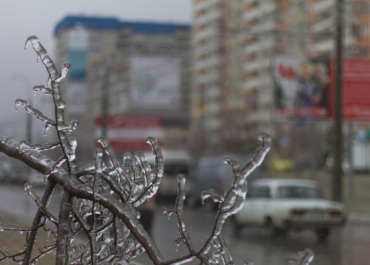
{"points": [[129, 132]]}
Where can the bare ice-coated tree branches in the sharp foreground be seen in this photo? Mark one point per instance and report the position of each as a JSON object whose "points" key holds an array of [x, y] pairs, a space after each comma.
{"points": [[109, 194]]}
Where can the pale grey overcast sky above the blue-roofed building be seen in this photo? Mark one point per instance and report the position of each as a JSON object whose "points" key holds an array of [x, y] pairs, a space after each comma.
{"points": [[23, 18]]}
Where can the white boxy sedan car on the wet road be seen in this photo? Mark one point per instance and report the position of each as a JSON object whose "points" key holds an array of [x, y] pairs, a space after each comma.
{"points": [[282, 204]]}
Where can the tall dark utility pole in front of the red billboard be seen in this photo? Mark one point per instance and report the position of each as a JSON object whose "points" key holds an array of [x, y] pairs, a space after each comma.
{"points": [[337, 148]]}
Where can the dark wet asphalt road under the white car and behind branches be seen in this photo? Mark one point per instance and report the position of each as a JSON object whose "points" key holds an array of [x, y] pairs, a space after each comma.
{"points": [[349, 245]]}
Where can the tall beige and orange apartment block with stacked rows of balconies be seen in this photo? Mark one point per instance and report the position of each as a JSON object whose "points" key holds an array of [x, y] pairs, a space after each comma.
{"points": [[234, 45]]}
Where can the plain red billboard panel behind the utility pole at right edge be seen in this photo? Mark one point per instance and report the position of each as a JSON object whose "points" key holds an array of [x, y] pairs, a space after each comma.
{"points": [[356, 89]]}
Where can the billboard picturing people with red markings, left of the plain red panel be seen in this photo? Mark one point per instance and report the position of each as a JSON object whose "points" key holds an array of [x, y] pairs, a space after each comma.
{"points": [[301, 88]]}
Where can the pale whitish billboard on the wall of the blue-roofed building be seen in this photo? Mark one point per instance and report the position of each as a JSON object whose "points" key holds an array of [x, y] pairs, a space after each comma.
{"points": [[155, 82]]}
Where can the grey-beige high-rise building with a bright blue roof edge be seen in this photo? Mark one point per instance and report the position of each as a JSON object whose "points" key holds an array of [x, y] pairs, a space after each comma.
{"points": [[134, 69]]}
